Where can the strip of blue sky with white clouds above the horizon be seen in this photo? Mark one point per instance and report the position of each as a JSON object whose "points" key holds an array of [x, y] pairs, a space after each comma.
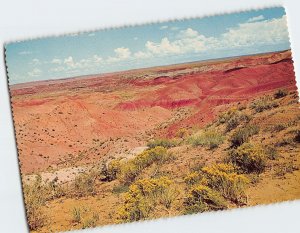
{"points": [[147, 45]]}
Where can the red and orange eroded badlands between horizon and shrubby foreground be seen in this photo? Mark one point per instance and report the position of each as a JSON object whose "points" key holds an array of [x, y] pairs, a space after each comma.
{"points": [[82, 120]]}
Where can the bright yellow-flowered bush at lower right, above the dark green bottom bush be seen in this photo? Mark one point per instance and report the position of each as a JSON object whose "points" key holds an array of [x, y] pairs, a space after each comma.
{"points": [[223, 178]]}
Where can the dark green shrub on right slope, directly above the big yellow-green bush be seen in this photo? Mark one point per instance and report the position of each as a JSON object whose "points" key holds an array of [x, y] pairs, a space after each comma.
{"points": [[242, 135]]}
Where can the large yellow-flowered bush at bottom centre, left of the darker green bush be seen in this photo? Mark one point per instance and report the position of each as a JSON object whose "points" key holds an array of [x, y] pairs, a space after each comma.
{"points": [[142, 198]]}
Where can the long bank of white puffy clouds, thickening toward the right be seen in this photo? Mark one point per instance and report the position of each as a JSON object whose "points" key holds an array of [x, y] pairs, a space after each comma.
{"points": [[255, 32]]}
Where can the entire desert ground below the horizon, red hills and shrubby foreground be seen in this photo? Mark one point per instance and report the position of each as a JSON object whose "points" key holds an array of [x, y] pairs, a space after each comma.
{"points": [[158, 142]]}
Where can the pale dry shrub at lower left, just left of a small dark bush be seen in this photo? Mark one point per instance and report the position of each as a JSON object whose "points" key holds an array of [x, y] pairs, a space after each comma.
{"points": [[84, 184]]}
